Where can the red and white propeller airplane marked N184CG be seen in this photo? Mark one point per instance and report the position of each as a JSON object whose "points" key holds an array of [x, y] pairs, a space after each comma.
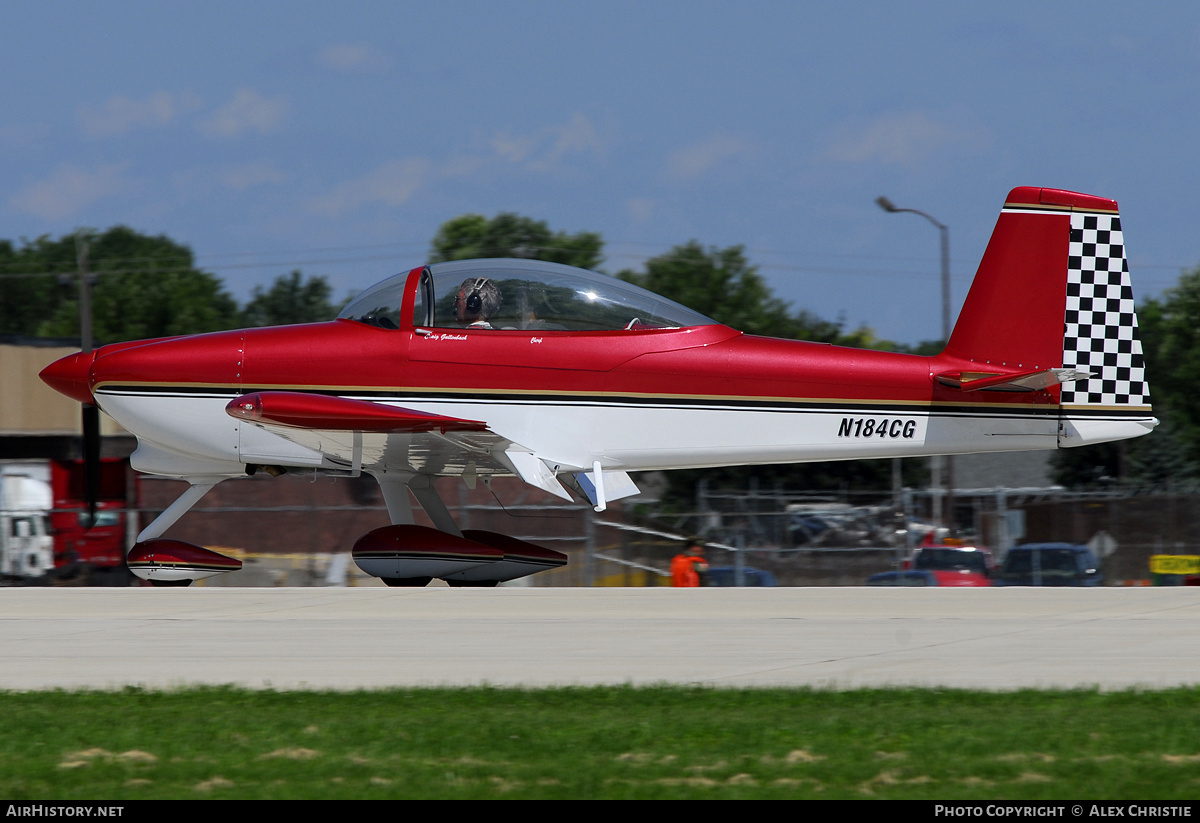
{"points": [[569, 379]]}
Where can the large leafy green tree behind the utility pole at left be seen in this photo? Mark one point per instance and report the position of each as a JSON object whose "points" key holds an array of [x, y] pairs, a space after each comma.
{"points": [[146, 287]]}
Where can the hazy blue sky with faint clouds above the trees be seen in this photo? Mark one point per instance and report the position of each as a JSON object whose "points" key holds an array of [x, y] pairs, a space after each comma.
{"points": [[338, 137]]}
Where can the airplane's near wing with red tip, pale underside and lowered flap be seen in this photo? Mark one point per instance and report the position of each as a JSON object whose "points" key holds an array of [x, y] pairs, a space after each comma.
{"points": [[359, 435]]}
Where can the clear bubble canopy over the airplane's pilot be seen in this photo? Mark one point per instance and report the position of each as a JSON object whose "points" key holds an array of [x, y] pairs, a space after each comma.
{"points": [[514, 295]]}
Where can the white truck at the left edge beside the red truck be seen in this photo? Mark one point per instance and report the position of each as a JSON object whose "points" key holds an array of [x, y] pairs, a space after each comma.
{"points": [[27, 548]]}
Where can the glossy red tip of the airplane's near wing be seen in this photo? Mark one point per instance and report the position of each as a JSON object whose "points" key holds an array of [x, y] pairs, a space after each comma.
{"points": [[299, 410]]}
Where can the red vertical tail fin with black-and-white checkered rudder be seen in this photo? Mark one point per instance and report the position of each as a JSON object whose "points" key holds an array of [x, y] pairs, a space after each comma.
{"points": [[1053, 293]]}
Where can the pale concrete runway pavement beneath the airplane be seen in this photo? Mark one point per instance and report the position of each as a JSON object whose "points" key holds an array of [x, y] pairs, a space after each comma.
{"points": [[374, 638]]}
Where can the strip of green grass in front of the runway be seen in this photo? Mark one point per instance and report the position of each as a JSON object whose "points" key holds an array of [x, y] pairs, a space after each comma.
{"points": [[601, 743]]}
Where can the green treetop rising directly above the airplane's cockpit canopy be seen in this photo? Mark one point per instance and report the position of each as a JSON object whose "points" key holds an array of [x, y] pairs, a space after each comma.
{"points": [[472, 237]]}
